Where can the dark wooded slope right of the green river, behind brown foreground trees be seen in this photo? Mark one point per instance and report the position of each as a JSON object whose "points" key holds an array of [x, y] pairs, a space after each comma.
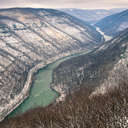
{"points": [[106, 66]]}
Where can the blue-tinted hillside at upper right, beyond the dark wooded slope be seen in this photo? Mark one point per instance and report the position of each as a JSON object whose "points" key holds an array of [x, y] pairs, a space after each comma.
{"points": [[114, 24]]}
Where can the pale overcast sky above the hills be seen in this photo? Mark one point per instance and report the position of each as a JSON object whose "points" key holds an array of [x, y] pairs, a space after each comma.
{"points": [[89, 4]]}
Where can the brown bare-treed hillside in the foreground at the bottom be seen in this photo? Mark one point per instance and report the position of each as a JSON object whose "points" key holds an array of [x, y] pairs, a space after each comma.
{"points": [[79, 111]]}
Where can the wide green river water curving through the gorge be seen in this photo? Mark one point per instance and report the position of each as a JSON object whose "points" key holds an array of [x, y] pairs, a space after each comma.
{"points": [[41, 94]]}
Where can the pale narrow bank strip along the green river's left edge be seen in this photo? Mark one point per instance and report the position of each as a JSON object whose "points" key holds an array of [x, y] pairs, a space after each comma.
{"points": [[25, 92]]}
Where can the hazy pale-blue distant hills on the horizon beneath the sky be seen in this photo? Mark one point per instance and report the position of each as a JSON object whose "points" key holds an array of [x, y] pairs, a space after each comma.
{"points": [[92, 16]]}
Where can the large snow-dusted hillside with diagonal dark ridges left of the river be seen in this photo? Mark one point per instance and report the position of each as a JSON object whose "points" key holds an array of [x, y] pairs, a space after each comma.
{"points": [[30, 39]]}
